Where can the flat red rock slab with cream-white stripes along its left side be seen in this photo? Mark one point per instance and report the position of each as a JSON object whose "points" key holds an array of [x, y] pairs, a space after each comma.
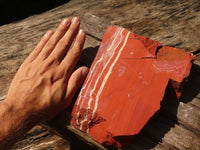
{"points": [[126, 84]]}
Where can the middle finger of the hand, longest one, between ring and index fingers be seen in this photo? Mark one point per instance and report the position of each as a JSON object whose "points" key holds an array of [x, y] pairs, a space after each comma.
{"points": [[64, 44]]}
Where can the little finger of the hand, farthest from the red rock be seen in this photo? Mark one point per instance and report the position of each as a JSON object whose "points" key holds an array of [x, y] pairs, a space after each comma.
{"points": [[40, 46]]}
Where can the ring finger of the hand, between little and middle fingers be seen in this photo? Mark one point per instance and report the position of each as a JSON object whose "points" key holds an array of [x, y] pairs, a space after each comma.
{"points": [[51, 44]]}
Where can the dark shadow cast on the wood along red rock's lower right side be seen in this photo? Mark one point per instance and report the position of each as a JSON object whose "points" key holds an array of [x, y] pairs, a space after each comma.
{"points": [[166, 117]]}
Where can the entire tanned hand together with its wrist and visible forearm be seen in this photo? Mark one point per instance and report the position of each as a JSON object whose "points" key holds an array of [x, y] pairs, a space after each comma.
{"points": [[44, 84]]}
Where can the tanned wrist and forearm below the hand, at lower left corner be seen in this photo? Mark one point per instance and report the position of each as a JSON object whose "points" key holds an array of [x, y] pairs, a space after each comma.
{"points": [[14, 124]]}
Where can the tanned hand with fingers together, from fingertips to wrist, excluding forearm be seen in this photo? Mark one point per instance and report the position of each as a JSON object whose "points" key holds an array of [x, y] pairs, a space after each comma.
{"points": [[44, 84]]}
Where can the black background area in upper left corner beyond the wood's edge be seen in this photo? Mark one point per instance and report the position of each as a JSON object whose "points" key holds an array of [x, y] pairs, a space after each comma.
{"points": [[14, 10]]}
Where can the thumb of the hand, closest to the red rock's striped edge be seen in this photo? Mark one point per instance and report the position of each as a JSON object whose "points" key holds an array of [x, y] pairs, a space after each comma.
{"points": [[74, 83]]}
